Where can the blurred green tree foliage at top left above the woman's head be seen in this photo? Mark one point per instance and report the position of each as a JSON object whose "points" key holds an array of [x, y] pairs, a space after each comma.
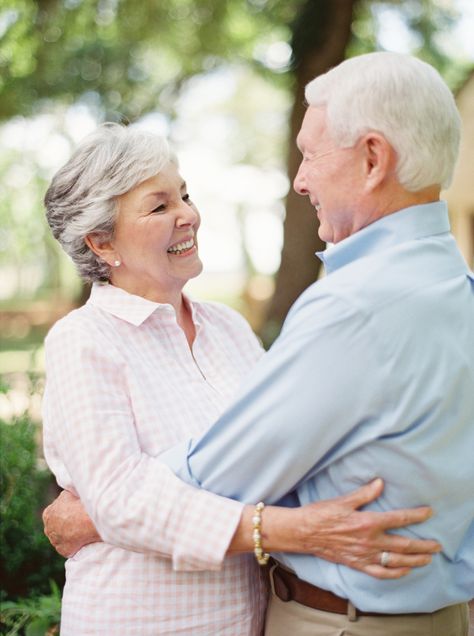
{"points": [[119, 58]]}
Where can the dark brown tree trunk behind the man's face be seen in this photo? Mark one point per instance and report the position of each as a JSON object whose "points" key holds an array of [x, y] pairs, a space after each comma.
{"points": [[321, 33]]}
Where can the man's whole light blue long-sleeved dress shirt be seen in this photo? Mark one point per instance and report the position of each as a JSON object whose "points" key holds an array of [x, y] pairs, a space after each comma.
{"points": [[372, 375]]}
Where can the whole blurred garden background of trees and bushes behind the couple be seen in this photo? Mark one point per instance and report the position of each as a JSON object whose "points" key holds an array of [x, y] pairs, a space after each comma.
{"points": [[224, 80]]}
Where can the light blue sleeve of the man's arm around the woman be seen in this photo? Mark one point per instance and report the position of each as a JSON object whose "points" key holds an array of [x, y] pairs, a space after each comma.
{"points": [[310, 392]]}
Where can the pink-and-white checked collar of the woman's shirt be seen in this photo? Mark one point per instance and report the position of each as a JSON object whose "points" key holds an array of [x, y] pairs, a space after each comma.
{"points": [[121, 304]]}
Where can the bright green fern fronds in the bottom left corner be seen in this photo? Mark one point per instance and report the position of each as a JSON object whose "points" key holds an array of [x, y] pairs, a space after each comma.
{"points": [[32, 617]]}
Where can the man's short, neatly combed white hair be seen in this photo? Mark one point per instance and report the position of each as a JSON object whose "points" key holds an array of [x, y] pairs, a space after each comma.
{"points": [[402, 98]]}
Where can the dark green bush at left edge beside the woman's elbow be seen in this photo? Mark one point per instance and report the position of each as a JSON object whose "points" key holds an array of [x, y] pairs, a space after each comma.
{"points": [[27, 560]]}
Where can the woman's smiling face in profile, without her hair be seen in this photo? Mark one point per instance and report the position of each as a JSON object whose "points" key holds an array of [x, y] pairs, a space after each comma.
{"points": [[155, 237]]}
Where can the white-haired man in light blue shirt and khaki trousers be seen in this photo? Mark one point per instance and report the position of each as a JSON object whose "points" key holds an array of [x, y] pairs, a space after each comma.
{"points": [[373, 373]]}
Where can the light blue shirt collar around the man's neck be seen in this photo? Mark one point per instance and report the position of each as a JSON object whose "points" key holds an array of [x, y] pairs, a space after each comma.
{"points": [[411, 223]]}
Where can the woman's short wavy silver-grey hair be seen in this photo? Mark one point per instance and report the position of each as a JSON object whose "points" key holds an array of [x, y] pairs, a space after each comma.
{"points": [[82, 197]]}
